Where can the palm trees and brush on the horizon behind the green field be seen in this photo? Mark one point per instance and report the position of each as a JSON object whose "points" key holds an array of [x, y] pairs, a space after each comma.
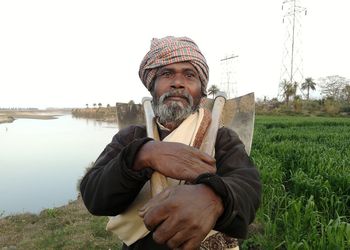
{"points": [[294, 97]]}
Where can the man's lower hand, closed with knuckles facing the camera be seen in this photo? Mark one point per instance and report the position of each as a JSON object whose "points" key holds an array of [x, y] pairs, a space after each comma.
{"points": [[181, 216]]}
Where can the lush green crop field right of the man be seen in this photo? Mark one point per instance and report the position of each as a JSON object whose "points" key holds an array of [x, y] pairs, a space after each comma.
{"points": [[305, 169]]}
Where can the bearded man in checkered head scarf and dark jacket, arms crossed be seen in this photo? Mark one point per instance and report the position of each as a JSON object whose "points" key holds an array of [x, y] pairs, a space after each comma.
{"points": [[223, 193]]}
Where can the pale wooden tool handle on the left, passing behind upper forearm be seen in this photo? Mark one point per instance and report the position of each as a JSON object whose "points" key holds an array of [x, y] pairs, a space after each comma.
{"points": [[158, 181]]}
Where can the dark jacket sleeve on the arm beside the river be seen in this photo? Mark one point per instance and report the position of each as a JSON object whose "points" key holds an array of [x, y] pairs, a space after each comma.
{"points": [[111, 185]]}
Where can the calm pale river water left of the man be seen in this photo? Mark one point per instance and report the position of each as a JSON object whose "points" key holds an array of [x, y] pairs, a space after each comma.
{"points": [[42, 160]]}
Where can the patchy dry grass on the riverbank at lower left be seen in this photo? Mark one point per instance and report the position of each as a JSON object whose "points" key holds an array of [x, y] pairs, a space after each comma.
{"points": [[67, 227]]}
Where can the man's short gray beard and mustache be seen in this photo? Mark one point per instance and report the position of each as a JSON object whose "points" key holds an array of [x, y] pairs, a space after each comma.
{"points": [[174, 112]]}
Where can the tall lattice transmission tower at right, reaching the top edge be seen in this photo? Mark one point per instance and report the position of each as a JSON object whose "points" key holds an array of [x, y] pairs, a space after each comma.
{"points": [[292, 61]]}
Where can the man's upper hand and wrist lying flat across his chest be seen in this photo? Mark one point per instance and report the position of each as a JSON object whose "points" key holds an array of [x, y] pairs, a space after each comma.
{"points": [[174, 160]]}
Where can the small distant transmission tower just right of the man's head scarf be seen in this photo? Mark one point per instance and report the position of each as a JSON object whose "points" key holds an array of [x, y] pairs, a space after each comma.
{"points": [[228, 82]]}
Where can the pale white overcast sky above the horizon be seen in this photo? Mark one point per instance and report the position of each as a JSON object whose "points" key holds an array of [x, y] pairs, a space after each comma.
{"points": [[70, 53]]}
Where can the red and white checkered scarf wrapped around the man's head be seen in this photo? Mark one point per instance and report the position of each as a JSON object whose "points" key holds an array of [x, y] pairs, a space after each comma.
{"points": [[170, 50]]}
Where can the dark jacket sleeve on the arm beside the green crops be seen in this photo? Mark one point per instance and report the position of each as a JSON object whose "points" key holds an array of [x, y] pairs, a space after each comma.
{"points": [[237, 182]]}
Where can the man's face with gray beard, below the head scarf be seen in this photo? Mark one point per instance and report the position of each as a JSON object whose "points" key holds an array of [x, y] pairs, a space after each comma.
{"points": [[177, 92]]}
